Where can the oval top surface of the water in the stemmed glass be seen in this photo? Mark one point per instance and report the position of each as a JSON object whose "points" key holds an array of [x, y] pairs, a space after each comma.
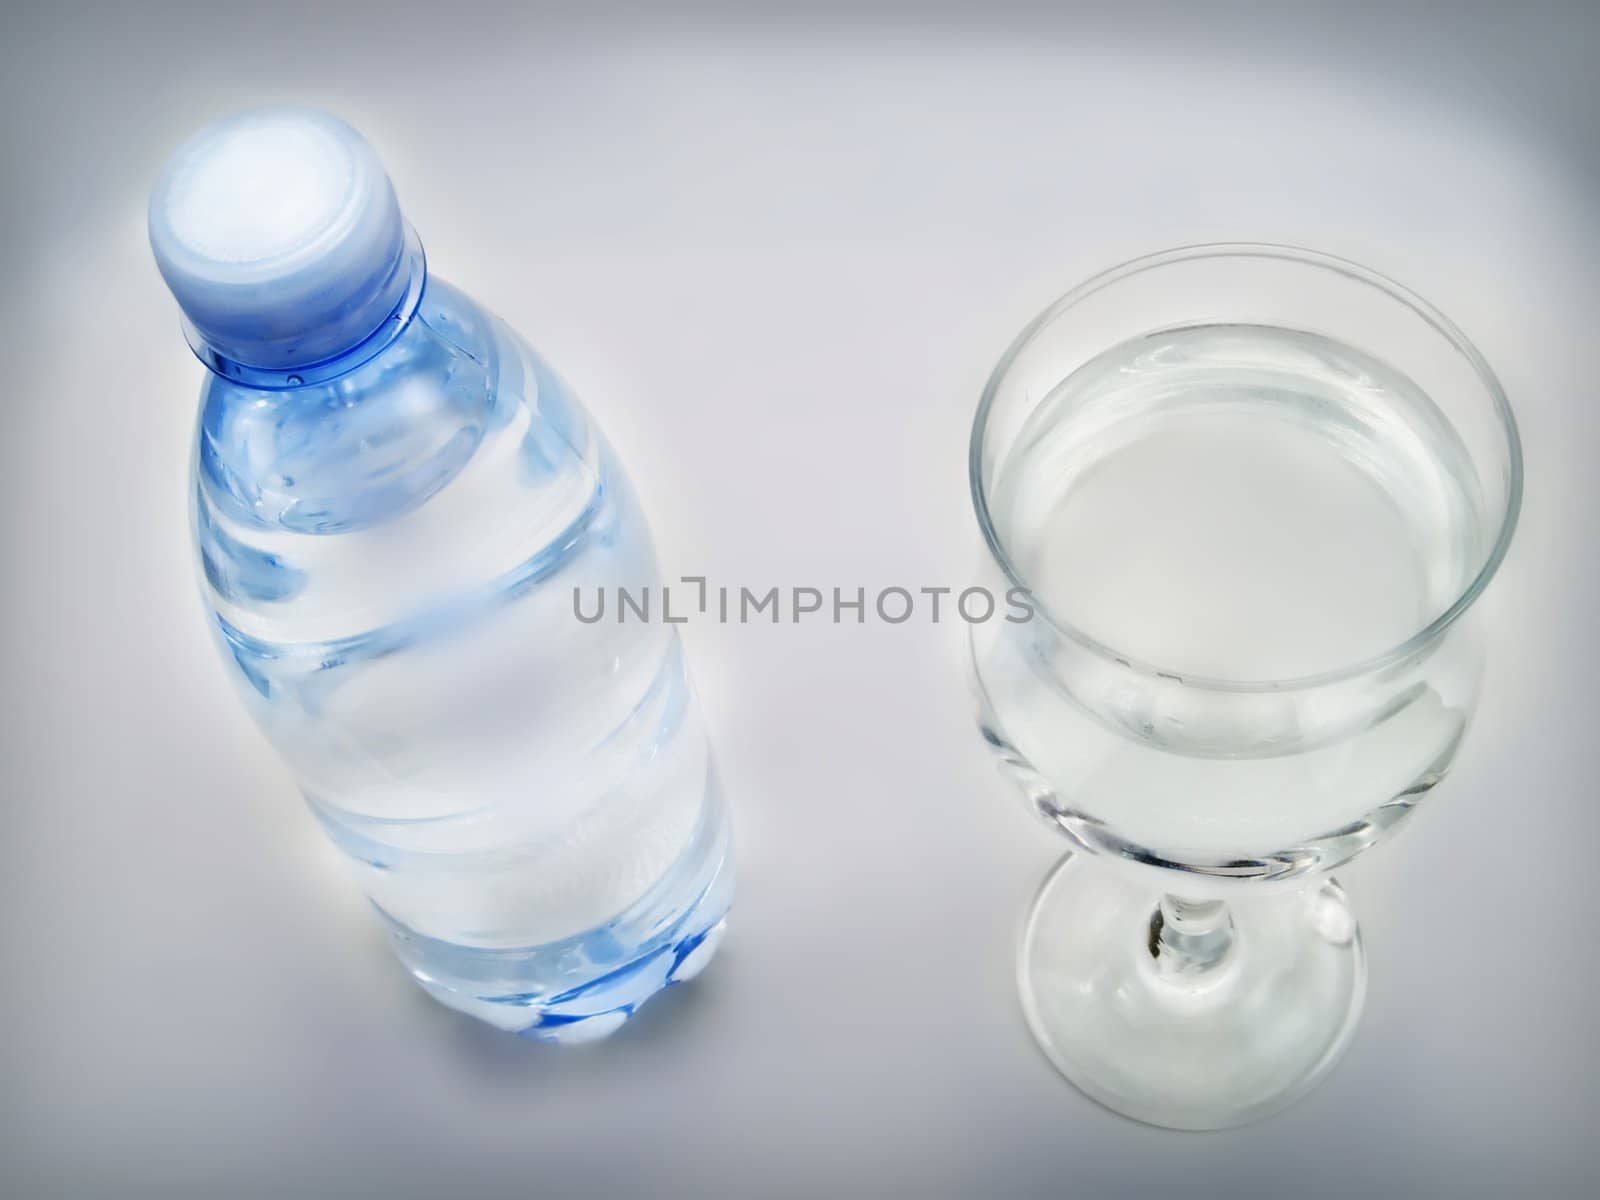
{"points": [[1241, 503]]}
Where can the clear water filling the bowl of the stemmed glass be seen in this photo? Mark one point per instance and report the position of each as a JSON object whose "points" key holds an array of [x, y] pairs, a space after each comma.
{"points": [[1247, 505]]}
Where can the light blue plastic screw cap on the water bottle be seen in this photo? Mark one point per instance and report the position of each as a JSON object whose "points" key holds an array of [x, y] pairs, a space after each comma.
{"points": [[281, 236]]}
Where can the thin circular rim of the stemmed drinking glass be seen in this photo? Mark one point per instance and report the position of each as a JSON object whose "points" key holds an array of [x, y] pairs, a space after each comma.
{"points": [[1313, 258]]}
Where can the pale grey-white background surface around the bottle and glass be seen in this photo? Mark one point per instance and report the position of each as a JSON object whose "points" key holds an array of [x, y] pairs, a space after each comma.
{"points": [[777, 254]]}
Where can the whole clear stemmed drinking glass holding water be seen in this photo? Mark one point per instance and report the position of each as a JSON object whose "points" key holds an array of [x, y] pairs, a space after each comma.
{"points": [[1254, 494]]}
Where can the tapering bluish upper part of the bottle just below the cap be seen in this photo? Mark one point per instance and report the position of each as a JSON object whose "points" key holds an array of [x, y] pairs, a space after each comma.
{"points": [[455, 463]]}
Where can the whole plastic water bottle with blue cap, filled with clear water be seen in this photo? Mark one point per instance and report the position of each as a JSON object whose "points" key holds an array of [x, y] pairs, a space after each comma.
{"points": [[394, 502]]}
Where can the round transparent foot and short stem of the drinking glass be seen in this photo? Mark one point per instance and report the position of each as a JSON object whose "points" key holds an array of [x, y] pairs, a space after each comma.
{"points": [[1194, 1017]]}
